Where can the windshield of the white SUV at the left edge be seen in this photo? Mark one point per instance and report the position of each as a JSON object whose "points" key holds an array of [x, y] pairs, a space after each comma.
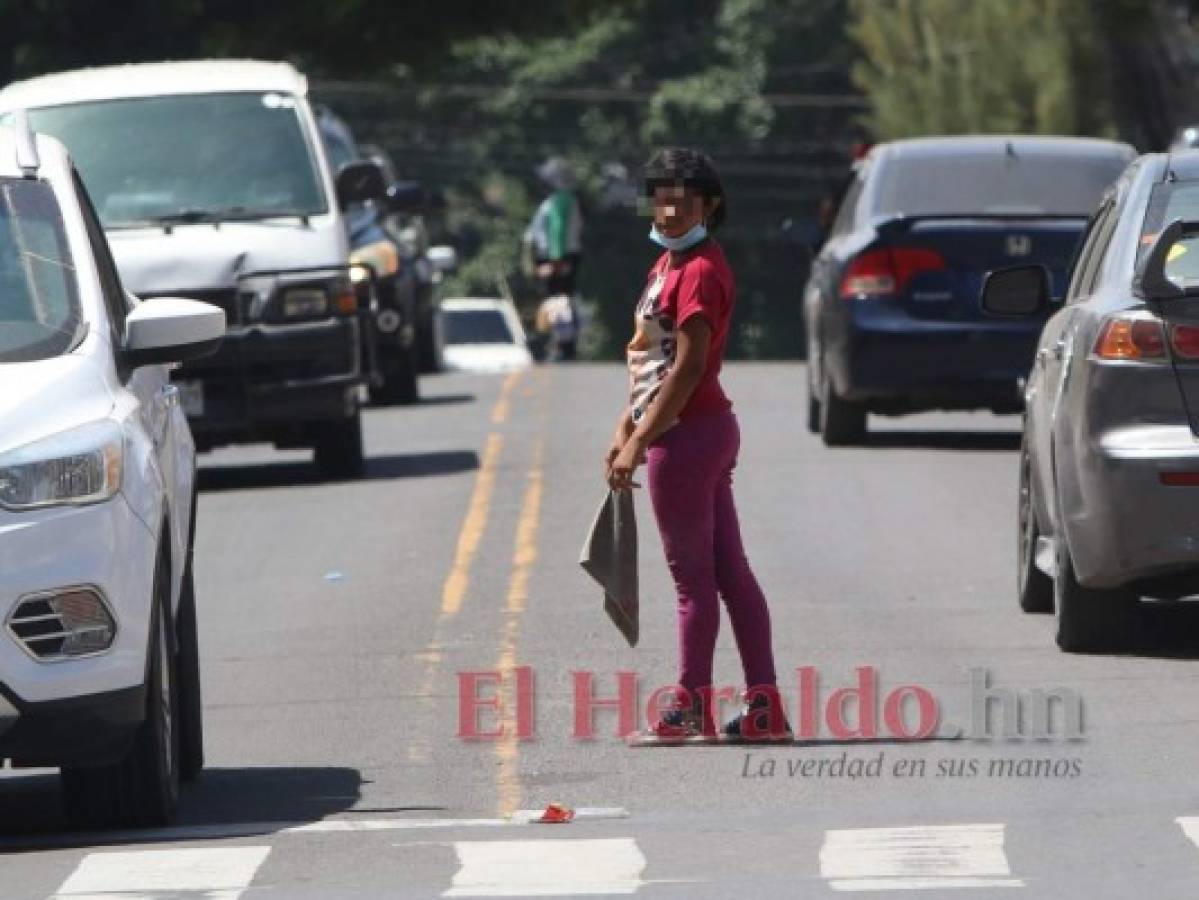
{"points": [[40, 313]]}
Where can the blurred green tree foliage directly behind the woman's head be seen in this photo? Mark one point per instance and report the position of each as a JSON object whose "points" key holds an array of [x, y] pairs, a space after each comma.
{"points": [[730, 76]]}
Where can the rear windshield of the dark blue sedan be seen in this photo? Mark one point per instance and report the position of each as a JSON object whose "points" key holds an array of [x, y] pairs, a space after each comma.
{"points": [[995, 184]]}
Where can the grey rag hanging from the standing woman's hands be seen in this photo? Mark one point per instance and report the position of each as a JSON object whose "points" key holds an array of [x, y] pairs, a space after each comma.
{"points": [[610, 557]]}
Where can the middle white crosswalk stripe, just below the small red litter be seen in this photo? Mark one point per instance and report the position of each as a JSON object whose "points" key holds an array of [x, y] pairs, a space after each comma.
{"points": [[547, 868]]}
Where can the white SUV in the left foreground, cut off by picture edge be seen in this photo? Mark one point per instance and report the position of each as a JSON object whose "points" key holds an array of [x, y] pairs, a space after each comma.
{"points": [[99, 665]]}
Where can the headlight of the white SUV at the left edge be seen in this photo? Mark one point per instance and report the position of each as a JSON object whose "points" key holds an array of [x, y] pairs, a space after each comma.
{"points": [[80, 467]]}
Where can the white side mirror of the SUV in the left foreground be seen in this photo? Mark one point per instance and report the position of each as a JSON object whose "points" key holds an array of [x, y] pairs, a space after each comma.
{"points": [[166, 330]]}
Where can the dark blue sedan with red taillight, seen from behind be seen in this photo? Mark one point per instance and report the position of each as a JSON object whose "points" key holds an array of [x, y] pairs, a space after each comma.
{"points": [[893, 311]]}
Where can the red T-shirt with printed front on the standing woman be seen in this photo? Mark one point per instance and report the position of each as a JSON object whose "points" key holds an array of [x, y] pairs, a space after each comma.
{"points": [[702, 286]]}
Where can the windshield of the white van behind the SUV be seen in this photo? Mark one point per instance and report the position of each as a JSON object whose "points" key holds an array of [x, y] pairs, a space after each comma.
{"points": [[190, 158]]}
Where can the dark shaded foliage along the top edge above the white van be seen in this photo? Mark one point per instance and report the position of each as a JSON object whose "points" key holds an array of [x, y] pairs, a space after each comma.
{"points": [[333, 38]]}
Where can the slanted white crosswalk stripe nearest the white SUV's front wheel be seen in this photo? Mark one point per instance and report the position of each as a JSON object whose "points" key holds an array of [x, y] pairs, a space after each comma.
{"points": [[221, 874]]}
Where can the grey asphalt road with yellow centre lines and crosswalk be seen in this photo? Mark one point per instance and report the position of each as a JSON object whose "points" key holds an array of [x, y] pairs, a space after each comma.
{"points": [[336, 619]]}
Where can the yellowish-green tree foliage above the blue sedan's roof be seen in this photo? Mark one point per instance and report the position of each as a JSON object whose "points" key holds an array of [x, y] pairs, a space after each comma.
{"points": [[945, 67]]}
